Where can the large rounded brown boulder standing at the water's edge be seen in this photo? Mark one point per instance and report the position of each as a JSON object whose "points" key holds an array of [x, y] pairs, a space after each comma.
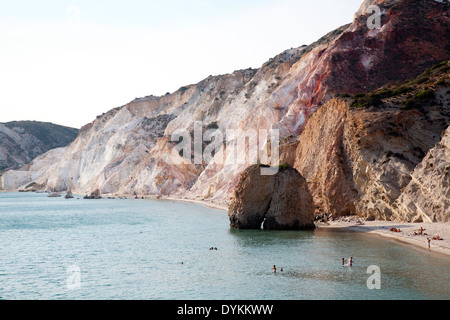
{"points": [[277, 202]]}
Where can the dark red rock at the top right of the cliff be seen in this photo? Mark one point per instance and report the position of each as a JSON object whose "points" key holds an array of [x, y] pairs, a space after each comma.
{"points": [[413, 36]]}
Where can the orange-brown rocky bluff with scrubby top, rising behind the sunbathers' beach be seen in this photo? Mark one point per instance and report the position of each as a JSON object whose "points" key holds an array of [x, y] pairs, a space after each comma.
{"points": [[365, 155]]}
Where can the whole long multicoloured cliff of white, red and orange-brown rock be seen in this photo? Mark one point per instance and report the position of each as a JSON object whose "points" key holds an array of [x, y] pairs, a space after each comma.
{"points": [[356, 160]]}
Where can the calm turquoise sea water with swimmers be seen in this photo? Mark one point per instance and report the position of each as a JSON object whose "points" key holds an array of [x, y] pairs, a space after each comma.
{"points": [[53, 248]]}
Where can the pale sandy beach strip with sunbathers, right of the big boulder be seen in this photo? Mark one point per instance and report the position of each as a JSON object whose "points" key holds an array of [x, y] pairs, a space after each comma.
{"points": [[406, 235]]}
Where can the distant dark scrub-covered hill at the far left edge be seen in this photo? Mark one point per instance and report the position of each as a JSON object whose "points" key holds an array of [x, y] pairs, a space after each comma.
{"points": [[22, 141]]}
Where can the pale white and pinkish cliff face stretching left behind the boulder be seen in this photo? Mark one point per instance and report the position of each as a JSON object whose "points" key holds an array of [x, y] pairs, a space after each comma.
{"points": [[127, 150]]}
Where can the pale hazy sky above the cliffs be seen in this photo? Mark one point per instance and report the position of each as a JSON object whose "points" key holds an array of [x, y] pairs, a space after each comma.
{"points": [[68, 61]]}
